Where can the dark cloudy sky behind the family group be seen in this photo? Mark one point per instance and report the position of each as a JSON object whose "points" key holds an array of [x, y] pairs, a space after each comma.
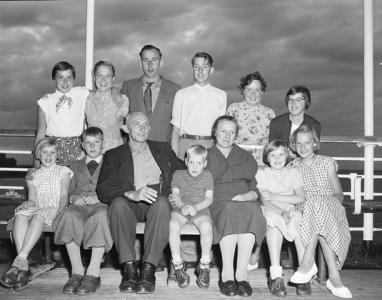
{"points": [[316, 43]]}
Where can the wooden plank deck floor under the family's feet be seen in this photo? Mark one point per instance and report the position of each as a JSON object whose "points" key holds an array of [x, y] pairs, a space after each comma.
{"points": [[364, 284]]}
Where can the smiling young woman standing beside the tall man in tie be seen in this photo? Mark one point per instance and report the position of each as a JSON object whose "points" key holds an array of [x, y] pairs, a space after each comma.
{"points": [[102, 108]]}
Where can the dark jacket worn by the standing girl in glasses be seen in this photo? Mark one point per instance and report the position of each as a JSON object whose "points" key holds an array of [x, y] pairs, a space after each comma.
{"points": [[281, 125]]}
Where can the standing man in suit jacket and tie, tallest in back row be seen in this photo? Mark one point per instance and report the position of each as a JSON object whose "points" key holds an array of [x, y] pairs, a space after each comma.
{"points": [[152, 94]]}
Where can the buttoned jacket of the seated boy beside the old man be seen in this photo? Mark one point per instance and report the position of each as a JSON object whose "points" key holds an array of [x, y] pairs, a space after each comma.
{"points": [[82, 183]]}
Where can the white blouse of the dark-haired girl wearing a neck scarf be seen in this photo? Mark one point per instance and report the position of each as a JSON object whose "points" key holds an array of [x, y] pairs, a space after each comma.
{"points": [[66, 122]]}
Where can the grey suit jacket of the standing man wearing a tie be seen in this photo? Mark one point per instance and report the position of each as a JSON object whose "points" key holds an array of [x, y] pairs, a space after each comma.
{"points": [[161, 115]]}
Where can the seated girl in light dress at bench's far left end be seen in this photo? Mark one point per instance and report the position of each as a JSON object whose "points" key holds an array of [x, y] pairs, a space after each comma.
{"points": [[47, 195]]}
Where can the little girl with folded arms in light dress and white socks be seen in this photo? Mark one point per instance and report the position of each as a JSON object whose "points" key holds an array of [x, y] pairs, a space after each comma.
{"points": [[281, 190]]}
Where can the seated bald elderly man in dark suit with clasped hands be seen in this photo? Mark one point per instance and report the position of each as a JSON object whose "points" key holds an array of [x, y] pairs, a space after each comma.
{"points": [[135, 179]]}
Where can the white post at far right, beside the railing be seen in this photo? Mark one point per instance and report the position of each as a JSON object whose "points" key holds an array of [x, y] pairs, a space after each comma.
{"points": [[368, 114]]}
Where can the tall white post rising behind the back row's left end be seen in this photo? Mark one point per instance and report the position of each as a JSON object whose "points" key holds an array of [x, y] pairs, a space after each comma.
{"points": [[89, 44]]}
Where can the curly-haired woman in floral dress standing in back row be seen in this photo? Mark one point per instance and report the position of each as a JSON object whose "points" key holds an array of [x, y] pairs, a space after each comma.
{"points": [[253, 117]]}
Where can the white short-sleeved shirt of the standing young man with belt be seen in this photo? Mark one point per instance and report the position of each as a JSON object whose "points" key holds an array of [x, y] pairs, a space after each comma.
{"points": [[197, 107]]}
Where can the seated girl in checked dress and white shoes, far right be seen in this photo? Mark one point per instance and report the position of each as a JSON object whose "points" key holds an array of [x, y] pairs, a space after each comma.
{"points": [[324, 218]]}
